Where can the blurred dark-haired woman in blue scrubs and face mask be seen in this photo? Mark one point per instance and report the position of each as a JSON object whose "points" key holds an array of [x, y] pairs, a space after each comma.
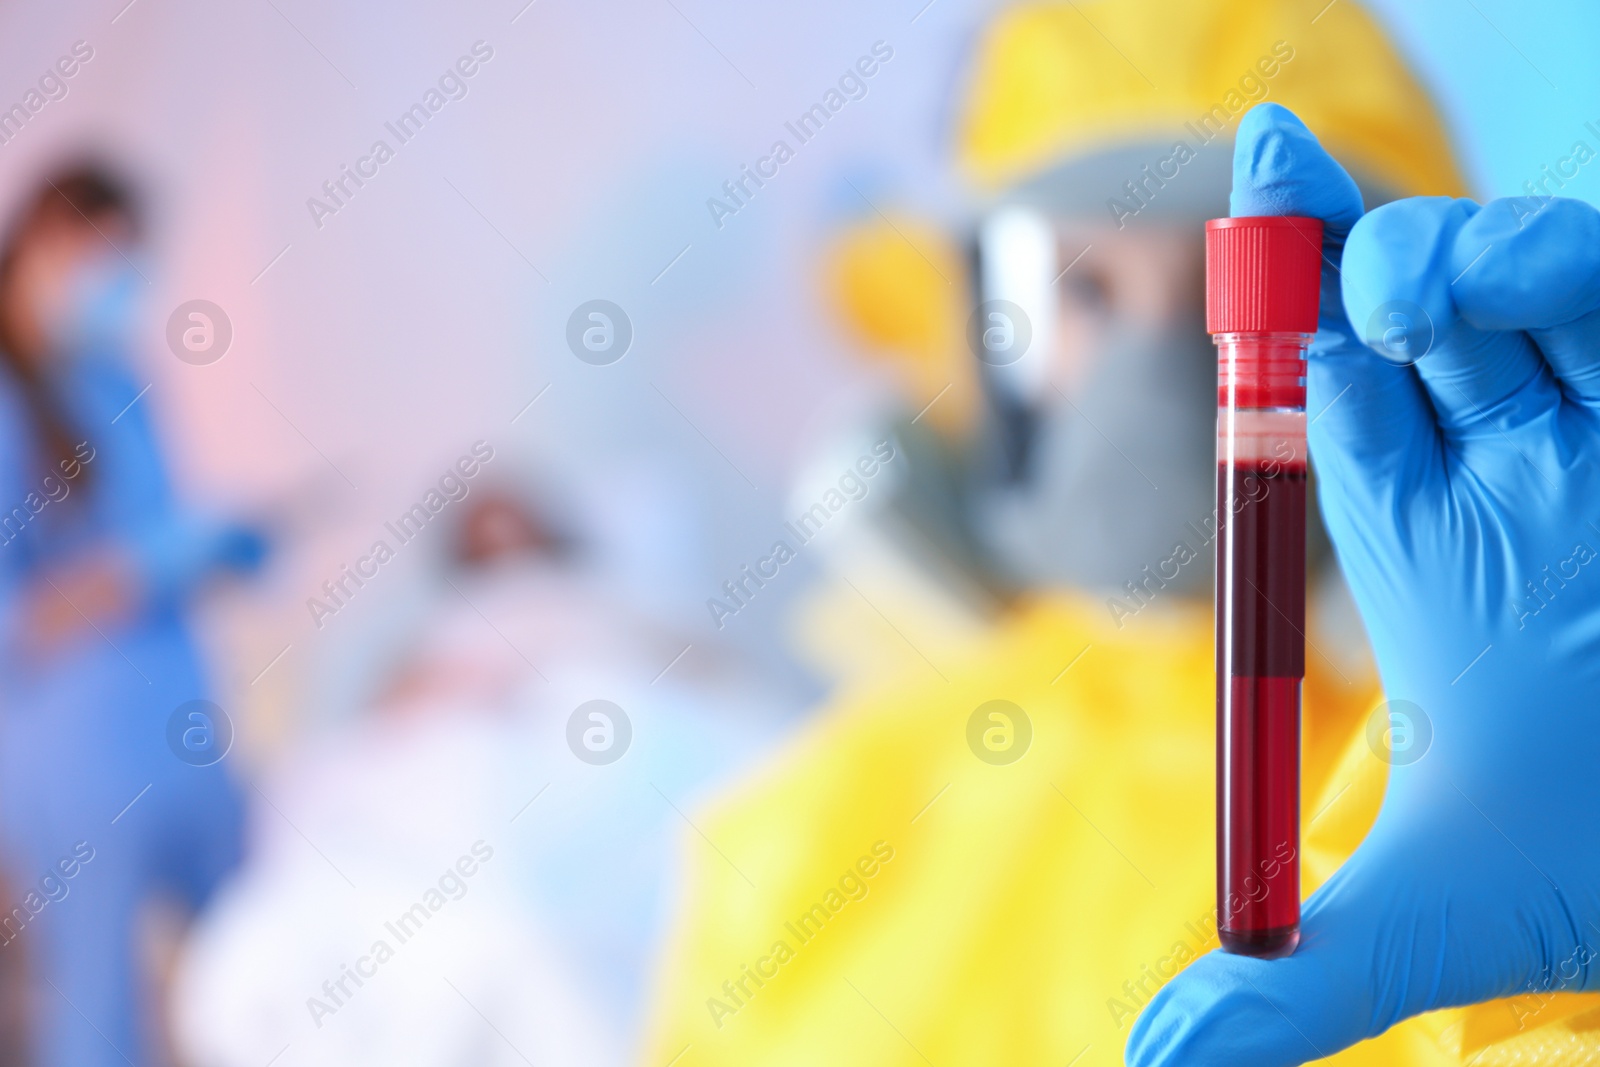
{"points": [[106, 812]]}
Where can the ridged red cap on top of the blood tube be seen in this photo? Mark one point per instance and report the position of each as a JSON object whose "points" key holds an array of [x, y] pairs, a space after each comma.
{"points": [[1263, 274]]}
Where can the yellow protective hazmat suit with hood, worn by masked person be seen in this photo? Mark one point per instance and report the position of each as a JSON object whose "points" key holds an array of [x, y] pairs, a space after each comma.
{"points": [[930, 877]]}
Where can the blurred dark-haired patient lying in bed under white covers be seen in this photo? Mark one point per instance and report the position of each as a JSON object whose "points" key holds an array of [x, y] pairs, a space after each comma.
{"points": [[540, 724]]}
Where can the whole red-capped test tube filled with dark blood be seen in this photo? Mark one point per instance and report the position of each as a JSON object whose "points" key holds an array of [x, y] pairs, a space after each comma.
{"points": [[1263, 281]]}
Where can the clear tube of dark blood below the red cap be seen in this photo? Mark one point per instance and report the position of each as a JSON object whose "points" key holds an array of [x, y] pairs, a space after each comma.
{"points": [[1260, 637]]}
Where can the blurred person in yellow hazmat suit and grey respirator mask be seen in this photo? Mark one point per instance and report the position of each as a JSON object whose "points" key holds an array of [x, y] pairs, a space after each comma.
{"points": [[942, 900]]}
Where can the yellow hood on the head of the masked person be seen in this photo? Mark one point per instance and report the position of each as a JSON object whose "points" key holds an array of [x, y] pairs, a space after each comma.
{"points": [[1060, 81]]}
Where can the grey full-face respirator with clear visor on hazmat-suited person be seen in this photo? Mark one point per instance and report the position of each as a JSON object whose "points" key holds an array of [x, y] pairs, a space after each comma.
{"points": [[1098, 372]]}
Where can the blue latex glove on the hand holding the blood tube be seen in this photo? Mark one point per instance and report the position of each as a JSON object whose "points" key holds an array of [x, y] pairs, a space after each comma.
{"points": [[1449, 486]]}
